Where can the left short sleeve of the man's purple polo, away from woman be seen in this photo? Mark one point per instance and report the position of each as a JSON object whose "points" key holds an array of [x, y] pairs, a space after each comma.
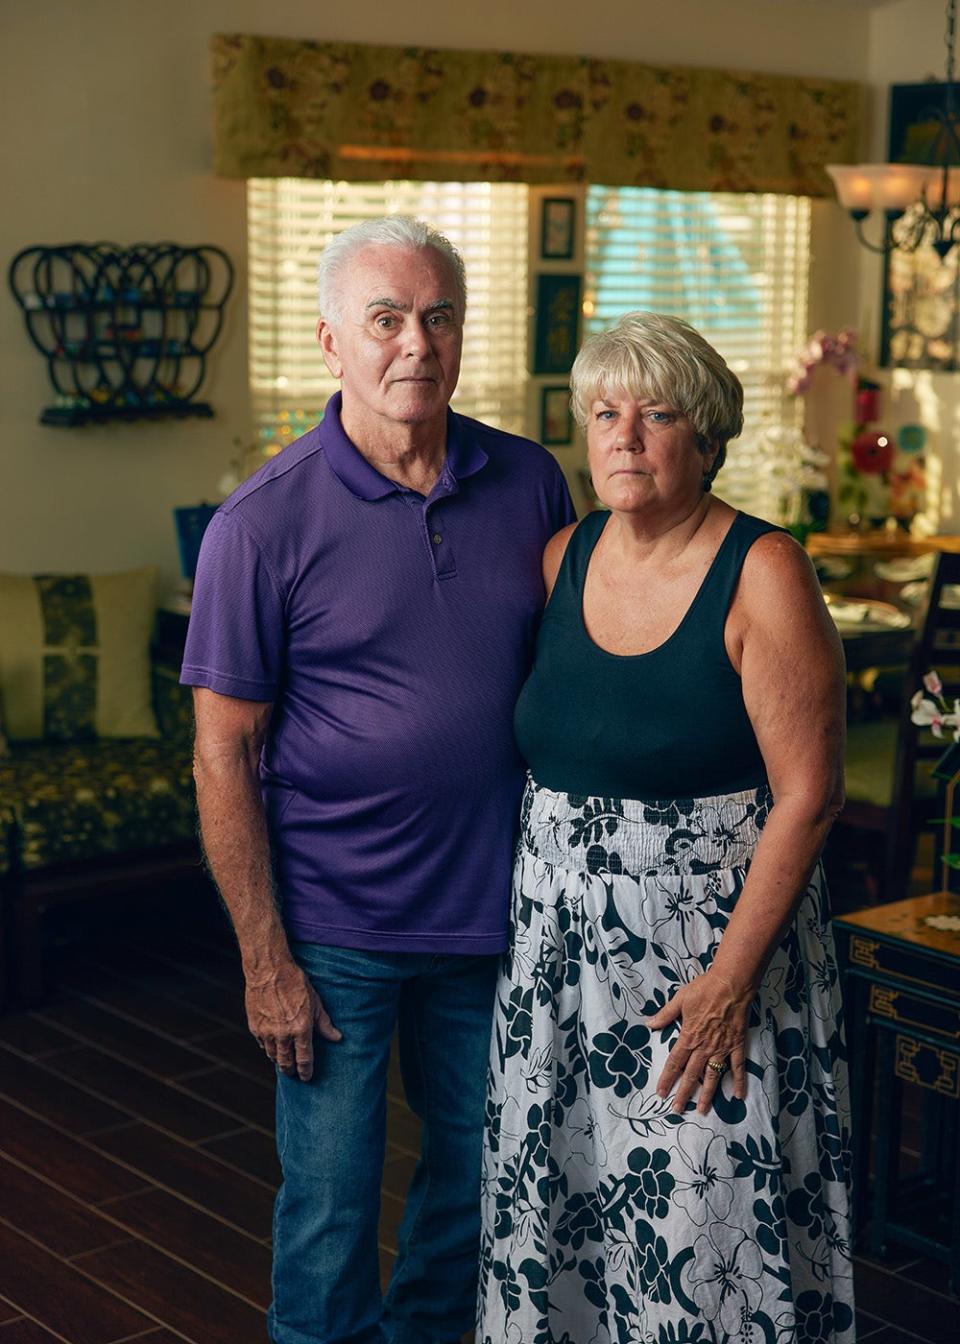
{"points": [[236, 638]]}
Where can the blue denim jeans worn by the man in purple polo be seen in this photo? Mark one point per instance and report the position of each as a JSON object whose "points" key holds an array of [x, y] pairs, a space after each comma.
{"points": [[331, 1135]]}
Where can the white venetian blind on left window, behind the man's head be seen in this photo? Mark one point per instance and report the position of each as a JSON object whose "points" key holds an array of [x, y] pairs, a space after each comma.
{"points": [[290, 221]]}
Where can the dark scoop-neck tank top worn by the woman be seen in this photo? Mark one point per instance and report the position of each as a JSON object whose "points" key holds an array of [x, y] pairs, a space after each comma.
{"points": [[669, 724]]}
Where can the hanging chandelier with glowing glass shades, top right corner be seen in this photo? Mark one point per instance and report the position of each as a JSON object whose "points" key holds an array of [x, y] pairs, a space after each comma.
{"points": [[922, 202]]}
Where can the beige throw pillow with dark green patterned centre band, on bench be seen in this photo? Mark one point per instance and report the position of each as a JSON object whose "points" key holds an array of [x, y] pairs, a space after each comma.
{"points": [[75, 655]]}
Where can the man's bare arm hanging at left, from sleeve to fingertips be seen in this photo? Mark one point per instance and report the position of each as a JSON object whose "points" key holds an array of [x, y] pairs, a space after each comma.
{"points": [[283, 1007]]}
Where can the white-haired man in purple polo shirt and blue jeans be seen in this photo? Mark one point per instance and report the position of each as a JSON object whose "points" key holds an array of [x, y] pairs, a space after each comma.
{"points": [[362, 623]]}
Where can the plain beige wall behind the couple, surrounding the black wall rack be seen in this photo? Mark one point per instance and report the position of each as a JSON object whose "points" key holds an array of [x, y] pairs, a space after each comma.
{"points": [[104, 107]]}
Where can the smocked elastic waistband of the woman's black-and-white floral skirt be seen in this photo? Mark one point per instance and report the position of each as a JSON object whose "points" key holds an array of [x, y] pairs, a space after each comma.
{"points": [[643, 839]]}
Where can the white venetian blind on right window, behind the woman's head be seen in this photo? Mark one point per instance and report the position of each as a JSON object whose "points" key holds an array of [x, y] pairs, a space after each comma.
{"points": [[736, 268]]}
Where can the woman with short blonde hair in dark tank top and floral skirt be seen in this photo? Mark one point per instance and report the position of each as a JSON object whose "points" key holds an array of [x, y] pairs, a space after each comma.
{"points": [[668, 1150]]}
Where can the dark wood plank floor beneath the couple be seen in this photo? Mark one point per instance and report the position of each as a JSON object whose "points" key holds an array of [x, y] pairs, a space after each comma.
{"points": [[136, 1151]]}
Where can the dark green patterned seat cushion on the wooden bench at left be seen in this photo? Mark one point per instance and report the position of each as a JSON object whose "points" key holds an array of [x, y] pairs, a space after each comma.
{"points": [[87, 800]]}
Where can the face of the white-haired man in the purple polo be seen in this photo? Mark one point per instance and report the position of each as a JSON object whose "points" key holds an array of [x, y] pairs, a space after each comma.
{"points": [[396, 346]]}
